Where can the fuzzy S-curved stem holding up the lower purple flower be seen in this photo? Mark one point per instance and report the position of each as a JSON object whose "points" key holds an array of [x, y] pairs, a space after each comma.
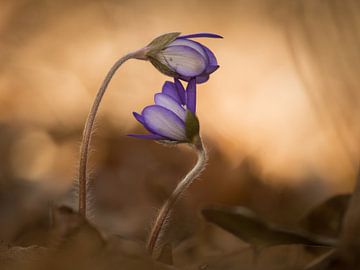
{"points": [[154, 242]]}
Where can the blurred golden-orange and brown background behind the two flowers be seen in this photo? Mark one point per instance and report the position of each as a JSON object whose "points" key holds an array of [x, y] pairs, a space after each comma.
{"points": [[280, 116]]}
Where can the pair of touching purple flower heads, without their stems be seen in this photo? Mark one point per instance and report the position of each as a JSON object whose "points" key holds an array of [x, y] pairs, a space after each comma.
{"points": [[172, 118]]}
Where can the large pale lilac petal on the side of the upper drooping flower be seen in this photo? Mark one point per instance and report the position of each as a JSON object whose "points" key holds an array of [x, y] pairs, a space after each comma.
{"points": [[184, 60]]}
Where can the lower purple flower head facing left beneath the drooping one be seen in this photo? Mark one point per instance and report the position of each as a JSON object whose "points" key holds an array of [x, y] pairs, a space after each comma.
{"points": [[172, 118]]}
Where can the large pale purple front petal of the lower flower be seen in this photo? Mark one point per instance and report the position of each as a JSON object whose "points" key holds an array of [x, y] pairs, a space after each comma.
{"points": [[161, 121]]}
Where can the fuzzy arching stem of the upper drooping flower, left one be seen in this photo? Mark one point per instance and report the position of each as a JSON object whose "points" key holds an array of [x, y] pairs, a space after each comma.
{"points": [[87, 133]]}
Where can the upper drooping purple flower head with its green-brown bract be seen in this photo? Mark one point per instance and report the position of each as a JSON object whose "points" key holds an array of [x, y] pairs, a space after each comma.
{"points": [[180, 57]]}
